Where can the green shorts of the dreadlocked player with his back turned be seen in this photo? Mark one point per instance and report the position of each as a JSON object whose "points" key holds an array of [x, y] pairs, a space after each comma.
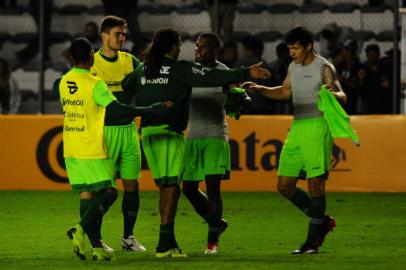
{"points": [[163, 150]]}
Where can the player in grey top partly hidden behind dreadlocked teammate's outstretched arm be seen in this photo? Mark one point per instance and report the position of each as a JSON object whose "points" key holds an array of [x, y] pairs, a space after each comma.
{"points": [[207, 153]]}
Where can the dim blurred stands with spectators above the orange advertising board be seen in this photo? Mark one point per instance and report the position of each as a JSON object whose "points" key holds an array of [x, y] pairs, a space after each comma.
{"points": [[356, 35]]}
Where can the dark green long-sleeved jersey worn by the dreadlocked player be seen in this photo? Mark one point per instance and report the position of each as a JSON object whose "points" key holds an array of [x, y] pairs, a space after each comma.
{"points": [[175, 82]]}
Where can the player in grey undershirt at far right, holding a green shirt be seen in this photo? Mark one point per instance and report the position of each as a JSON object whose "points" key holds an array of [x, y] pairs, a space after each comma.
{"points": [[307, 151]]}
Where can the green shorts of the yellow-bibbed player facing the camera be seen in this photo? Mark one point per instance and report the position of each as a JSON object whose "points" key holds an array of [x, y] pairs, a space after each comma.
{"points": [[124, 150]]}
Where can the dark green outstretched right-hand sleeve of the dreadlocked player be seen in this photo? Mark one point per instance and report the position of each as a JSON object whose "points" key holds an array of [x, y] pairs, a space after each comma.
{"points": [[194, 75]]}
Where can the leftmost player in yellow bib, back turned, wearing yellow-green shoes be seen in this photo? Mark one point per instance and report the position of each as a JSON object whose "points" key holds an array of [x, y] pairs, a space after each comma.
{"points": [[84, 100]]}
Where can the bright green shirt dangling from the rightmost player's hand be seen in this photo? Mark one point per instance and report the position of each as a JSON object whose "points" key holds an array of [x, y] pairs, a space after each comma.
{"points": [[337, 119]]}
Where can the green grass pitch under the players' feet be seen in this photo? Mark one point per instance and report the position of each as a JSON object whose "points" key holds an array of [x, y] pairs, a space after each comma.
{"points": [[264, 228]]}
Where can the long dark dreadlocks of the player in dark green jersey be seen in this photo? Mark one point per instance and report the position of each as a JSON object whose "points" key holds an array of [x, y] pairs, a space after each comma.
{"points": [[162, 43]]}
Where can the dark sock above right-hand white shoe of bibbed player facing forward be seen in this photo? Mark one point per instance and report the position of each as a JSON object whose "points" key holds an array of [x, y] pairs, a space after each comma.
{"points": [[130, 207]]}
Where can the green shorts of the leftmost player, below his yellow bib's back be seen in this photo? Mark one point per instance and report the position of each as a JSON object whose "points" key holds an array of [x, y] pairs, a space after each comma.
{"points": [[90, 175]]}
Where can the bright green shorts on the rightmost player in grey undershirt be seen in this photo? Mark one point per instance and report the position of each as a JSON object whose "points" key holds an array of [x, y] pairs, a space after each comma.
{"points": [[307, 150]]}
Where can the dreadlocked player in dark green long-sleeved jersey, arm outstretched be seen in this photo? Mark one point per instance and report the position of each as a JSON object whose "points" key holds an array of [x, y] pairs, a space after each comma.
{"points": [[163, 77]]}
